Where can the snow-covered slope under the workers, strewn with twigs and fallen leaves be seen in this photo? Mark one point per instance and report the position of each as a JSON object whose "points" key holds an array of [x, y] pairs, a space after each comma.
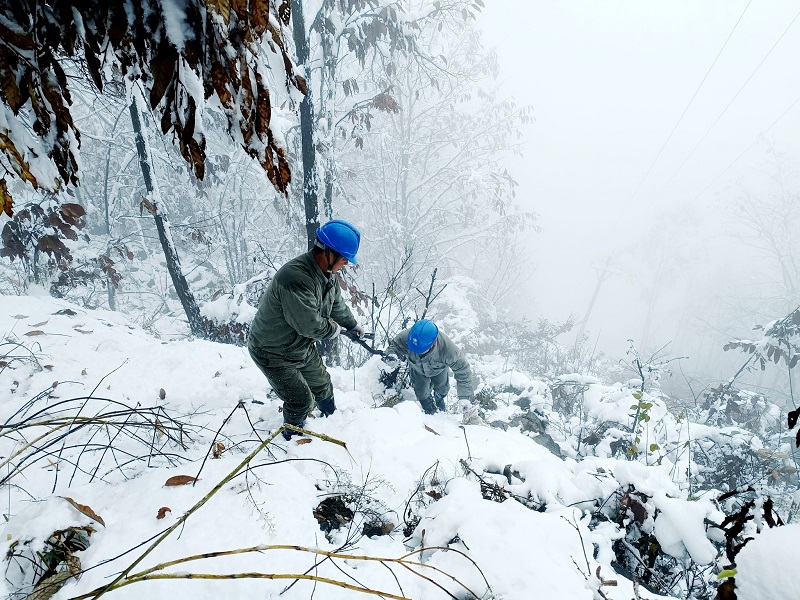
{"points": [[394, 466]]}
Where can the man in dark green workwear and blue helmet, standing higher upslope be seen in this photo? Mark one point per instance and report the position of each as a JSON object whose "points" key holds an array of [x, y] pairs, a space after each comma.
{"points": [[303, 304]]}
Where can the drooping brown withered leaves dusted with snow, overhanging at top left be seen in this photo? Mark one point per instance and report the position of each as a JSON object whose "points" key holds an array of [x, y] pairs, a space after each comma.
{"points": [[181, 52]]}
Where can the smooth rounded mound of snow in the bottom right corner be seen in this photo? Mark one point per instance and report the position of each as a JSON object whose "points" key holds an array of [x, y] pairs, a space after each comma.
{"points": [[766, 566]]}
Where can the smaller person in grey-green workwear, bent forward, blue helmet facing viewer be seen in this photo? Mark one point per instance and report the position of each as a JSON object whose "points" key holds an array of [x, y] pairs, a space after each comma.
{"points": [[429, 354]]}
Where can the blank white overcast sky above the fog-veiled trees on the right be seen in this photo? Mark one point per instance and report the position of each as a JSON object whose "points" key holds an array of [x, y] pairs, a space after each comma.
{"points": [[609, 80]]}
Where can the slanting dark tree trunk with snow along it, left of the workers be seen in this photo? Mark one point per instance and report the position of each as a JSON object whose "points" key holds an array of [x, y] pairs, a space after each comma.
{"points": [[185, 294]]}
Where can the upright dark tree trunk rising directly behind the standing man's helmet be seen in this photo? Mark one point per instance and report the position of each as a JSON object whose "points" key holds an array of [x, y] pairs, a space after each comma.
{"points": [[310, 201]]}
